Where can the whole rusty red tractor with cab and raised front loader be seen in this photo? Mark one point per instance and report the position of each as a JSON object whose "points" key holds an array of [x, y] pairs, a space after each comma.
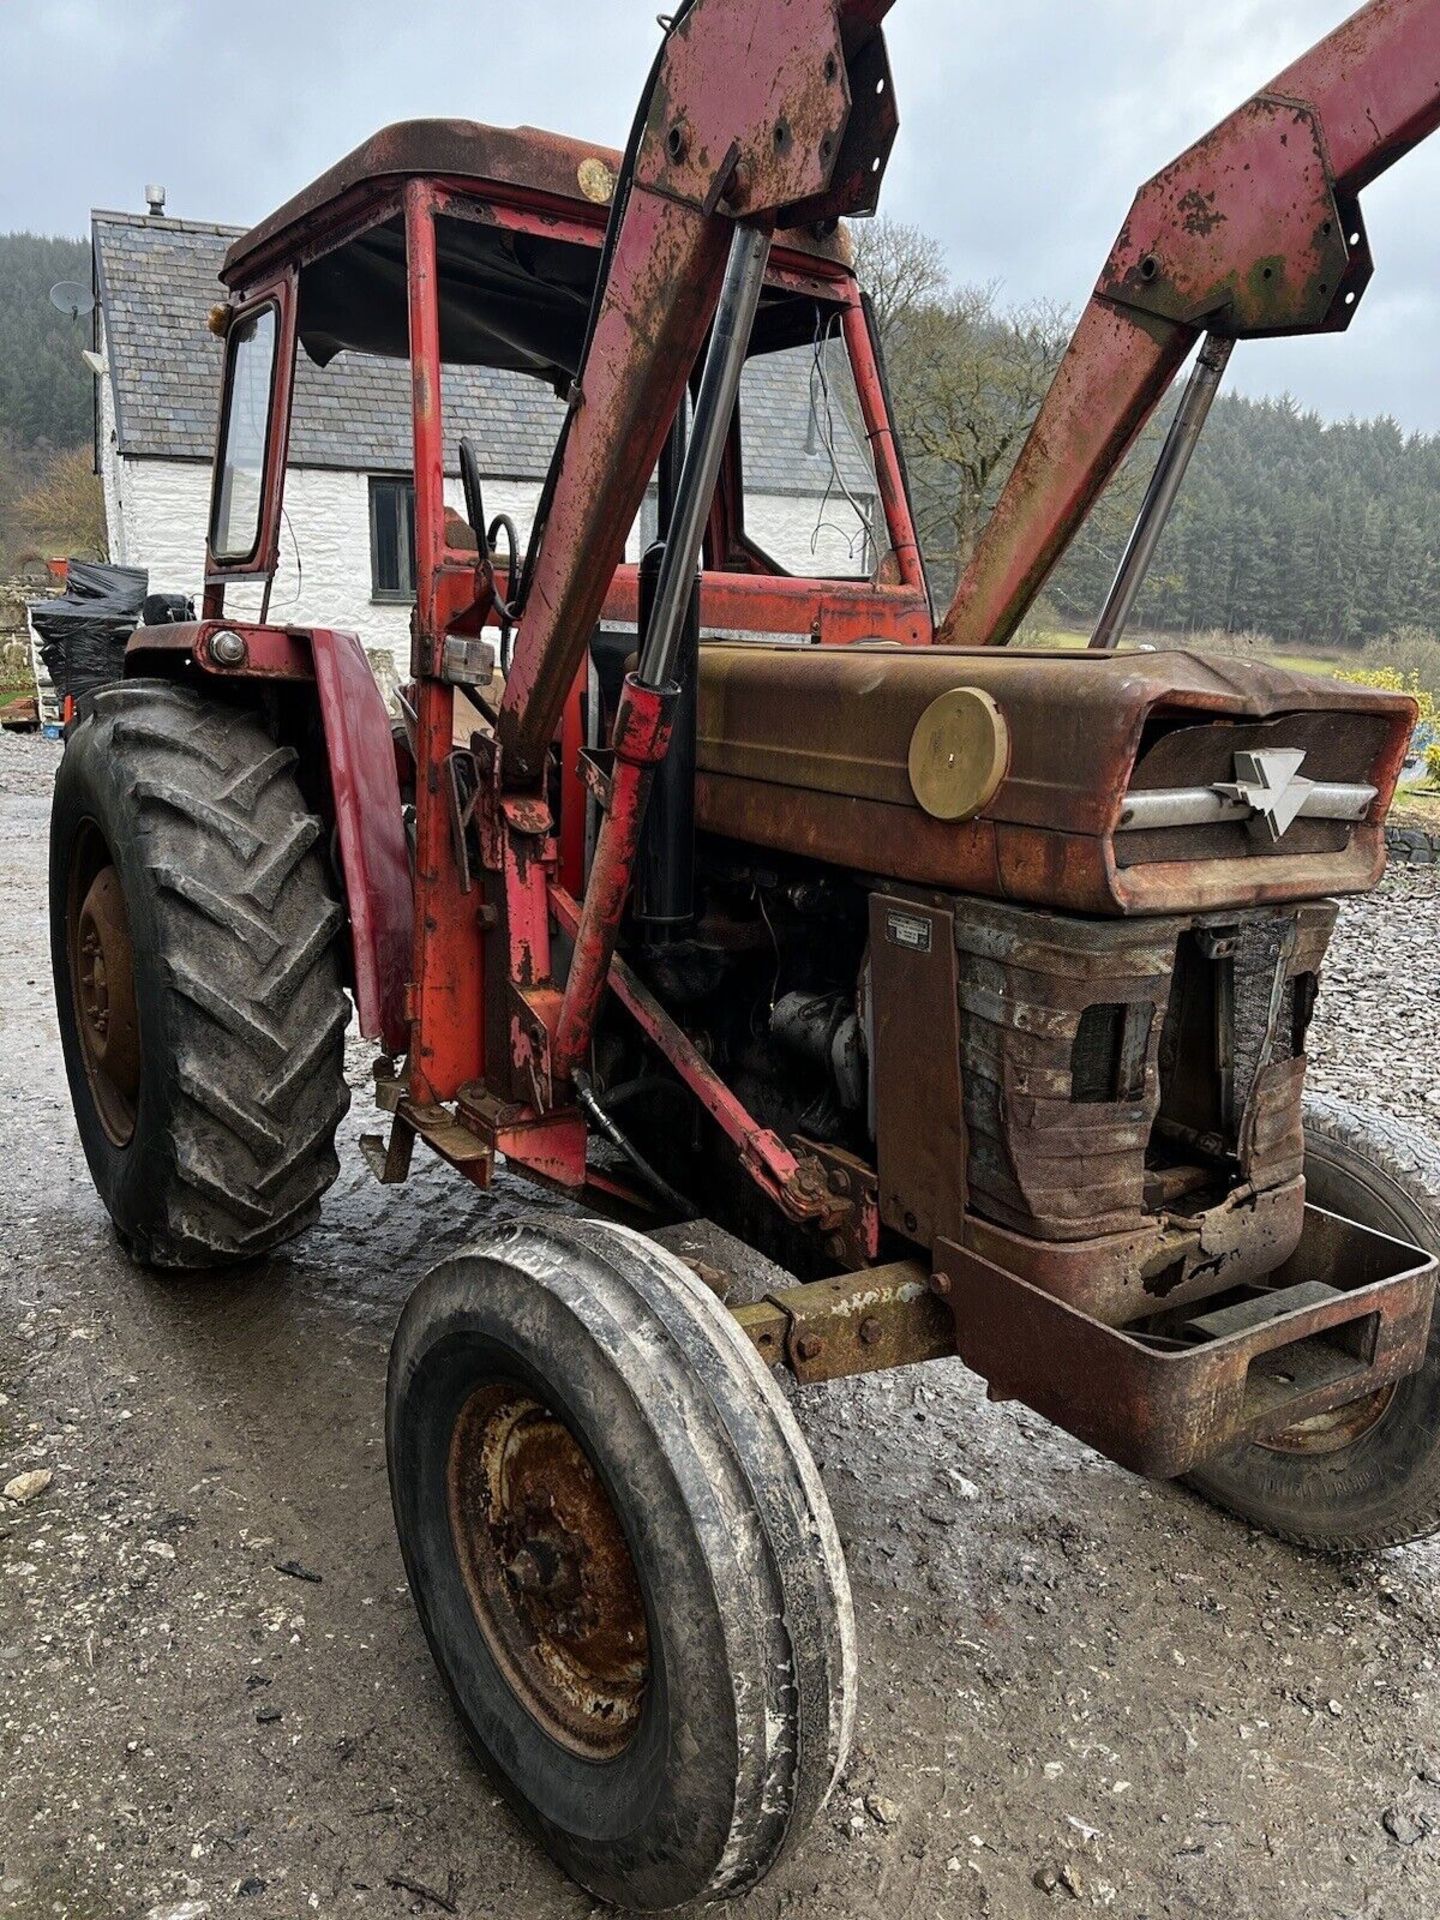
{"points": [[969, 984]]}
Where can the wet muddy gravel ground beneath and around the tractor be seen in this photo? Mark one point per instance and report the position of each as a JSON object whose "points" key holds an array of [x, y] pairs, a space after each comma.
{"points": [[1070, 1677]]}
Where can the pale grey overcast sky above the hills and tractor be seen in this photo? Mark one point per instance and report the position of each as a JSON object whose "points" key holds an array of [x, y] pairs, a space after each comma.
{"points": [[1026, 128]]}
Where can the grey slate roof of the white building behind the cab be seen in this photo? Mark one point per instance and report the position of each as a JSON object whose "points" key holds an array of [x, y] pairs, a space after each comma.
{"points": [[156, 281]]}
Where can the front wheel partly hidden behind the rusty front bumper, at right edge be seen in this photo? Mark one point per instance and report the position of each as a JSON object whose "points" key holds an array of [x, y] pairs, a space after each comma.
{"points": [[1364, 1476]]}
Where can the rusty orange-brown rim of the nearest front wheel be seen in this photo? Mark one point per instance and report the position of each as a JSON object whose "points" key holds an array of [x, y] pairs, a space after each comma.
{"points": [[548, 1572]]}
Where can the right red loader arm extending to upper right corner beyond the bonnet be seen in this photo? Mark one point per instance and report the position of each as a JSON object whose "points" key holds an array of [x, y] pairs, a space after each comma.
{"points": [[1253, 233]]}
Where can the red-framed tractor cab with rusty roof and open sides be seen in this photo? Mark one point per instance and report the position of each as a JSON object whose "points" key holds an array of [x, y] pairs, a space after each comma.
{"points": [[473, 254]]}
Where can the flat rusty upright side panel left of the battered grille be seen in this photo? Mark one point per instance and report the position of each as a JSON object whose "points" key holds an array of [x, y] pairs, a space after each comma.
{"points": [[917, 1068]]}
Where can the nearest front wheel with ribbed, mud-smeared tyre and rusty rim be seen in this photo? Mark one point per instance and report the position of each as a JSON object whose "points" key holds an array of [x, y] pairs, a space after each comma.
{"points": [[623, 1560]]}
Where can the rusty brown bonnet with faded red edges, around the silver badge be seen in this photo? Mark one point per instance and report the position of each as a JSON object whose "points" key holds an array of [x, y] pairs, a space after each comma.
{"points": [[807, 752]]}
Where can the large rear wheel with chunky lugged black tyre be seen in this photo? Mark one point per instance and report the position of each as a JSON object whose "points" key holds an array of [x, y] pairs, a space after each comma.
{"points": [[212, 1140]]}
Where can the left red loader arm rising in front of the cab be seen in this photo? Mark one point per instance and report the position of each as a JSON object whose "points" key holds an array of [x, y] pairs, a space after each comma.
{"points": [[759, 112]]}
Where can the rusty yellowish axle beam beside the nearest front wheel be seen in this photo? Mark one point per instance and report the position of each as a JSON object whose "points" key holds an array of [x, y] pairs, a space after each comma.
{"points": [[855, 1324]]}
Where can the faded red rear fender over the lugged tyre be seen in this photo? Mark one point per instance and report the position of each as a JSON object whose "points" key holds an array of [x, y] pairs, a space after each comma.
{"points": [[362, 777]]}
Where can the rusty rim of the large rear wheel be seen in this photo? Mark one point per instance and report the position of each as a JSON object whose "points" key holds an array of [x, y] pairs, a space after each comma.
{"points": [[103, 988]]}
